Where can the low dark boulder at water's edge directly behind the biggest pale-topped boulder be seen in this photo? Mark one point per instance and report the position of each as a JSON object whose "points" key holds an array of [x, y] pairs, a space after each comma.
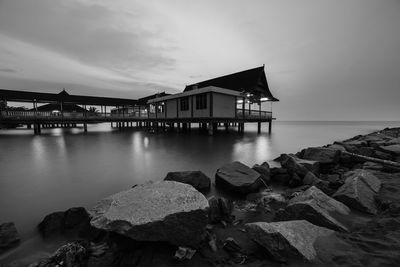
{"points": [[197, 179]]}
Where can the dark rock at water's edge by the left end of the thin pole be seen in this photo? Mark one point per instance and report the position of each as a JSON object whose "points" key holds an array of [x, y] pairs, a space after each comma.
{"points": [[327, 157]]}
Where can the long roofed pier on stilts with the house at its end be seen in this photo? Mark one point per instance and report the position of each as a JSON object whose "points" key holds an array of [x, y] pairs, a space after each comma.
{"points": [[228, 101]]}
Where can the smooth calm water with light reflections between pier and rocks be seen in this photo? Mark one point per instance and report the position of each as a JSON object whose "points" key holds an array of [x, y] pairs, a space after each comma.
{"points": [[65, 168]]}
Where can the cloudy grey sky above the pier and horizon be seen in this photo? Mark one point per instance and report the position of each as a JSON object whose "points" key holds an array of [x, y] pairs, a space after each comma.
{"points": [[324, 60]]}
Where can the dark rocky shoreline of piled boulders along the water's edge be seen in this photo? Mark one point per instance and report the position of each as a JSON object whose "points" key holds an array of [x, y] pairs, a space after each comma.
{"points": [[332, 205]]}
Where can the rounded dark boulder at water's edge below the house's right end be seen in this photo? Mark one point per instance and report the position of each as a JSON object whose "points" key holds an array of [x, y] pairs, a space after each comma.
{"points": [[237, 177]]}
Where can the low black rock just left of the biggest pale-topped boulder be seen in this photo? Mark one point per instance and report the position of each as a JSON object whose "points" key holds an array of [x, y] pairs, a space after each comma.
{"points": [[72, 220]]}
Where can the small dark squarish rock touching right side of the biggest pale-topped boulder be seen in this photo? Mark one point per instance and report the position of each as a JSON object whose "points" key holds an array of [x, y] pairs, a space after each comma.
{"points": [[220, 209]]}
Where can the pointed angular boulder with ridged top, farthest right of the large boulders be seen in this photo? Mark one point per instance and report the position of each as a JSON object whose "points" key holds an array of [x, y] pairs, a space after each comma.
{"points": [[359, 191]]}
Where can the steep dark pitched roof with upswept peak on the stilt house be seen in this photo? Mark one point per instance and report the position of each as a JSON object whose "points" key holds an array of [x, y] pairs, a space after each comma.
{"points": [[253, 81]]}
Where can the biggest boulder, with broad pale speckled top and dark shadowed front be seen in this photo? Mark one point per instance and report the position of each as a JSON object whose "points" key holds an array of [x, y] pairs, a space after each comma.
{"points": [[161, 211]]}
